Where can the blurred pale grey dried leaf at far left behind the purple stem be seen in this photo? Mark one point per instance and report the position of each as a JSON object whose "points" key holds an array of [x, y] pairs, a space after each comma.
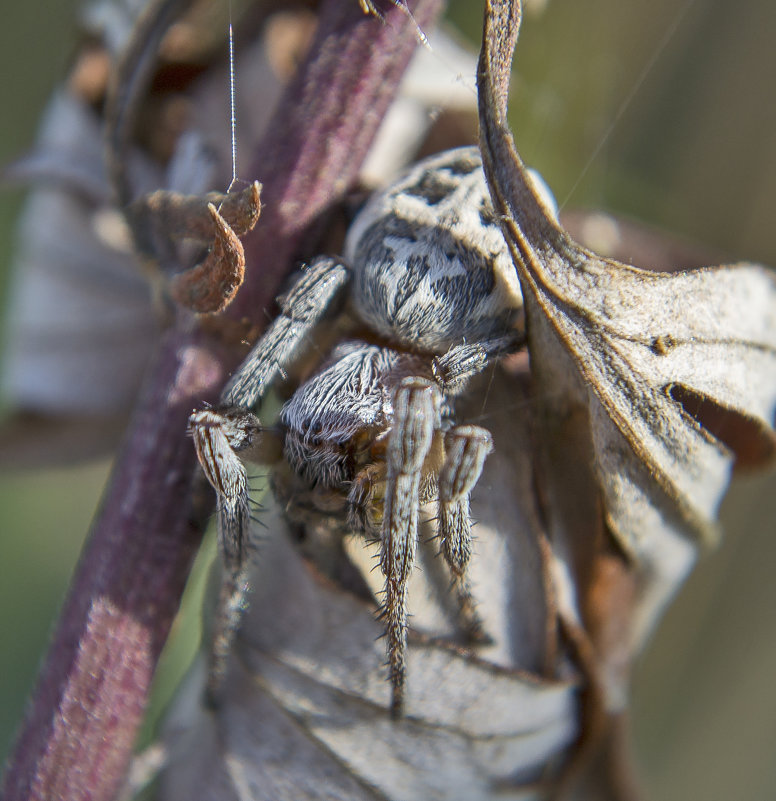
{"points": [[81, 325]]}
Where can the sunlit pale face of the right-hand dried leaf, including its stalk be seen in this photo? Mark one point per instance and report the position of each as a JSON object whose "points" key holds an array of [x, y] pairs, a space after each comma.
{"points": [[632, 338]]}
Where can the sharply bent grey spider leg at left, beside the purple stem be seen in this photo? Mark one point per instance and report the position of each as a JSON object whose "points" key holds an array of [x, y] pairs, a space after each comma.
{"points": [[220, 433]]}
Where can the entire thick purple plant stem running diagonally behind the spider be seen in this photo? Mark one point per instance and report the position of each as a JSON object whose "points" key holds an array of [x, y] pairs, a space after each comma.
{"points": [[77, 738]]}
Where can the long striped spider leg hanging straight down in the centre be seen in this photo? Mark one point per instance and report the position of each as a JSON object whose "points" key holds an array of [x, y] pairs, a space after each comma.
{"points": [[416, 416]]}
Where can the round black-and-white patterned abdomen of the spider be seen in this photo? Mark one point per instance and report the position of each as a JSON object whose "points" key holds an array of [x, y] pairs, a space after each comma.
{"points": [[430, 266]]}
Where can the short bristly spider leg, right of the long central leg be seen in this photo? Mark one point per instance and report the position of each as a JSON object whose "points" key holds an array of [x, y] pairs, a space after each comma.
{"points": [[466, 448]]}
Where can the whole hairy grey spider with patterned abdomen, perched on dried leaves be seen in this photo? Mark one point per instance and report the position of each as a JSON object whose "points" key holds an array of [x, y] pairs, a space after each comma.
{"points": [[372, 434]]}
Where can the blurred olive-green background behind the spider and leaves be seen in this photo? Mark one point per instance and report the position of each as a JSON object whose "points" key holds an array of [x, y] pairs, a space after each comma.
{"points": [[693, 150]]}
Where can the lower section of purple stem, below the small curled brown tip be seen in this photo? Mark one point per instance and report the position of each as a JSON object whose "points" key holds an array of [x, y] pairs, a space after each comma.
{"points": [[91, 693]]}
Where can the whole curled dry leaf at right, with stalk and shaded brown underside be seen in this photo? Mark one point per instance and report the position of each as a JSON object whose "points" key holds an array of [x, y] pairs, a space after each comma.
{"points": [[657, 380]]}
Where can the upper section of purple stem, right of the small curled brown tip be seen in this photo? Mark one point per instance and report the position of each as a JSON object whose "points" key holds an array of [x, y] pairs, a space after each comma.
{"points": [[359, 61]]}
